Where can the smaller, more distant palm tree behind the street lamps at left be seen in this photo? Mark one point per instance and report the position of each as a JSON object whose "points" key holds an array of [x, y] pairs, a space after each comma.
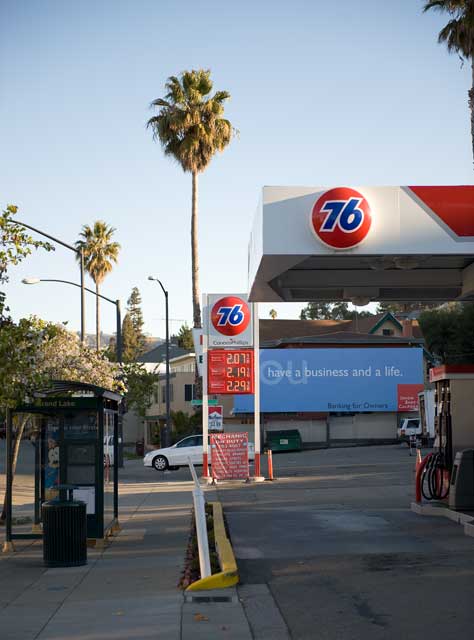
{"points": [[99, 254]]}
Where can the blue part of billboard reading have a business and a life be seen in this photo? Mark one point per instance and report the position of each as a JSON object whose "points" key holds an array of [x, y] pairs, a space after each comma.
{"points": [[334, 380]]}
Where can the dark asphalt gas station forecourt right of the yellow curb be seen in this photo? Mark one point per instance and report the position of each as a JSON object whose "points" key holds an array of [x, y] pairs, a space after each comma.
{"points": [[334, 543]]}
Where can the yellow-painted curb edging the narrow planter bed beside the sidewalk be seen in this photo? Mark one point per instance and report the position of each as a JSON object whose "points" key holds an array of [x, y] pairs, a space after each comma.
{"points": [[229, 574]]}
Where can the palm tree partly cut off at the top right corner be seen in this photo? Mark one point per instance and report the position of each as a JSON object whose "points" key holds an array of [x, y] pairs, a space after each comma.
{"points": [[458, 35]]}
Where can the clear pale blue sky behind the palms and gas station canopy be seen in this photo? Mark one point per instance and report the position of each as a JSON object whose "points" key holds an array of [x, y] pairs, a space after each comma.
{"points": [[323, 93]]}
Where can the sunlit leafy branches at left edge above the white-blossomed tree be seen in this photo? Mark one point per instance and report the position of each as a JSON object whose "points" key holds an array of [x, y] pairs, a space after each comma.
{"points": [[15, 245]]}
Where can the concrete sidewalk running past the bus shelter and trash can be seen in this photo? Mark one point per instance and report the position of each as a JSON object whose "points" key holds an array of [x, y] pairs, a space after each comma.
{"points": [[129, 589]]}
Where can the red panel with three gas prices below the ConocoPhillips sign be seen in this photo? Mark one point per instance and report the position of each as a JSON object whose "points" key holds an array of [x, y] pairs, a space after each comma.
{"points": [[230, 371]]}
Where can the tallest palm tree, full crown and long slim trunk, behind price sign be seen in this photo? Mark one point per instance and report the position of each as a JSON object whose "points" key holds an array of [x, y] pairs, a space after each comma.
{"points": [[190, 128]]}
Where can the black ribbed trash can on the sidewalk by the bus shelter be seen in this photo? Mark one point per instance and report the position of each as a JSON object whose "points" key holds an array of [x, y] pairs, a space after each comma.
{"points": [[64, 533]]}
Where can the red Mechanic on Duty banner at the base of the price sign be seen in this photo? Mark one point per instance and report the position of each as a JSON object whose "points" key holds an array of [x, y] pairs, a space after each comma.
{"points": [[229, 456]]}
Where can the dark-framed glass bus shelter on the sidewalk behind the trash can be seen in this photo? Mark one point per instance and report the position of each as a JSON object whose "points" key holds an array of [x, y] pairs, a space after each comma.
{"points": [[70, 426]]}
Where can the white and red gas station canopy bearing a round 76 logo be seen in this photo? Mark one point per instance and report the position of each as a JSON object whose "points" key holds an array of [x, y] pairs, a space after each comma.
{"points": [[360, 244]]}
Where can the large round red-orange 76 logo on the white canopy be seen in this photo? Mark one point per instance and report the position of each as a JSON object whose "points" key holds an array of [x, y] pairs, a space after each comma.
{"points": [[341, 218]]}
